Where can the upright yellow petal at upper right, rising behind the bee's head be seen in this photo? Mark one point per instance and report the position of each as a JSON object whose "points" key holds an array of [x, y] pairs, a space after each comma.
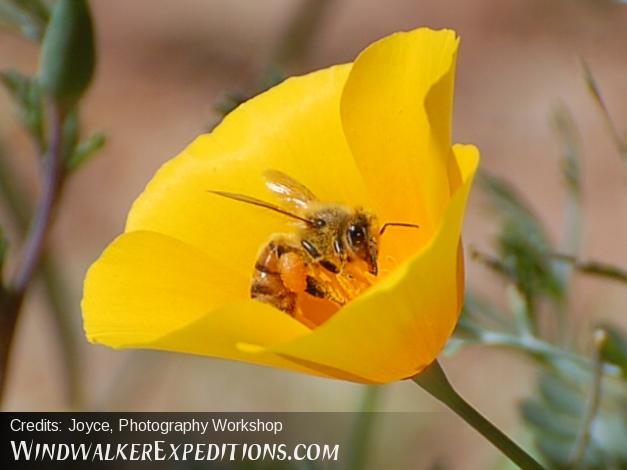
{"points": [[396, 113]]}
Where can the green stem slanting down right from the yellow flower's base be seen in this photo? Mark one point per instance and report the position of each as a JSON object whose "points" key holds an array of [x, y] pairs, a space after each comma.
{"points": [[434, 381]]}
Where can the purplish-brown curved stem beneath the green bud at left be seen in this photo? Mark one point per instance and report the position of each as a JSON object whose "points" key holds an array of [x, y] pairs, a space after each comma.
{"points": [[34, 245]]}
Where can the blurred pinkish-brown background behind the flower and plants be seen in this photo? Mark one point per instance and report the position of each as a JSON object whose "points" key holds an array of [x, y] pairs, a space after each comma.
{"points": [[166, 68]]}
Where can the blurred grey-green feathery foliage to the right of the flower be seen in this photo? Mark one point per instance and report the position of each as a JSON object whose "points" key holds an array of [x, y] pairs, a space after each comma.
{"points": [[578, 414]]}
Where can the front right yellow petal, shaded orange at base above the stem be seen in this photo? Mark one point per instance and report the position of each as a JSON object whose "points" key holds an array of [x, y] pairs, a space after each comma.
{"points": [[402, 323]]}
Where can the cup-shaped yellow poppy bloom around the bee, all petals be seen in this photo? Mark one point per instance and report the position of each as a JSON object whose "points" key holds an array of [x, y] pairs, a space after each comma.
{"points": [[376, 134]]}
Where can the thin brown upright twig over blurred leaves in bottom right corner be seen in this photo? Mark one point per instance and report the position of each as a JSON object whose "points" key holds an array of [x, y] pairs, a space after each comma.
{"points": [[583, 437]]}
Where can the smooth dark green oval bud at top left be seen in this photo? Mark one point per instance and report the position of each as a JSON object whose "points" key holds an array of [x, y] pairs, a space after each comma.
{"points": [[68, 56]]}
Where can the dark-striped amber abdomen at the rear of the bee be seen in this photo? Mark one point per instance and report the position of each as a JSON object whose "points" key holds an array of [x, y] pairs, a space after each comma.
{"points": [[267, 285]]}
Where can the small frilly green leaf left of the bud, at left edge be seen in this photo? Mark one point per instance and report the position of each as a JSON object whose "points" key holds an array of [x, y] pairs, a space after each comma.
{"points": [[27, 94]]}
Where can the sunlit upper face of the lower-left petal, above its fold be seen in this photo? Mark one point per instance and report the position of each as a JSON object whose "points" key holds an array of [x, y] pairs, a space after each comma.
{"points": [[146, 284]]}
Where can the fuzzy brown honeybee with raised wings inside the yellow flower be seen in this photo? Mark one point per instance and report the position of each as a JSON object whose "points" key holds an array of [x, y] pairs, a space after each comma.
{"points": [[331, 255]]}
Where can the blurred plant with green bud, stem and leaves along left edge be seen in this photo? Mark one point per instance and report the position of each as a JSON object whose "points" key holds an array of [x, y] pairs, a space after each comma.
{"points": [[48, 107]]}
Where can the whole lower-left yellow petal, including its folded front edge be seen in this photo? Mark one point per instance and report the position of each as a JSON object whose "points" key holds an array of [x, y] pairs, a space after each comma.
{"points": [[148, 290]]}
